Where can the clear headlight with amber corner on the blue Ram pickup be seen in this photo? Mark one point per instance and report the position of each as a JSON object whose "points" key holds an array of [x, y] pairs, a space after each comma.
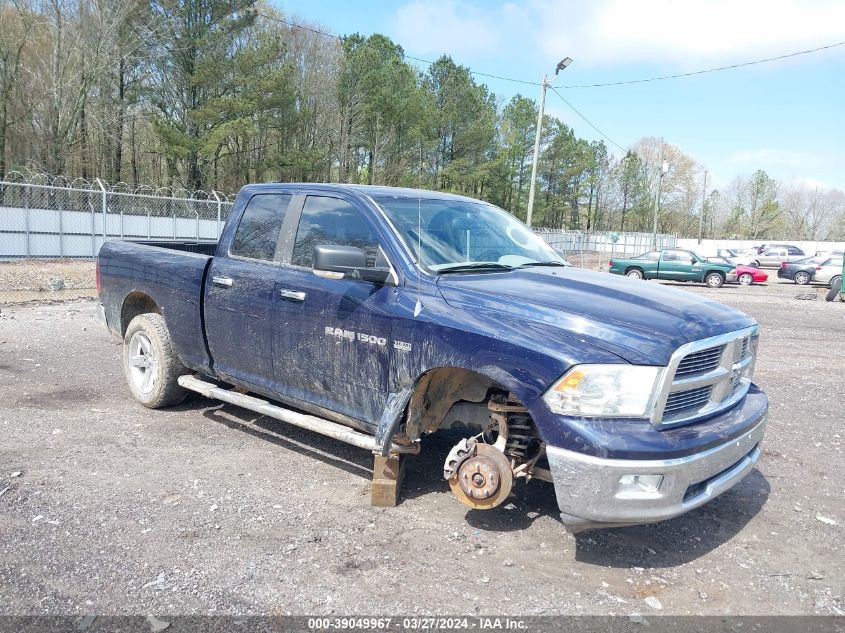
{"points": [[622, 391]]}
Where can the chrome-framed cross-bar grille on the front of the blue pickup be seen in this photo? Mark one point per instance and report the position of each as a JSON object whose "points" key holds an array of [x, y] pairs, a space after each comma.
{"points": [[705, 377]]}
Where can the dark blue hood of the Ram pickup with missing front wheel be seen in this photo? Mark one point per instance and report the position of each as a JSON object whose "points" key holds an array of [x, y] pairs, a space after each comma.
{"points": [[642, 322]]}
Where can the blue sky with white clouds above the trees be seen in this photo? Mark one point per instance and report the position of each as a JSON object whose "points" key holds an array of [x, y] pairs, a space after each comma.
{"points": [[786, 117]]}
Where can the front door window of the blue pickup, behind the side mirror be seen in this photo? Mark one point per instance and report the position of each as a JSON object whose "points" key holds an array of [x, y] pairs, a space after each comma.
{"points": [[332, 221]]}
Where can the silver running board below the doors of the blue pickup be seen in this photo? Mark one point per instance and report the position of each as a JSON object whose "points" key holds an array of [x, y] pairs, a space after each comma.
{"points": [[305, 421]]}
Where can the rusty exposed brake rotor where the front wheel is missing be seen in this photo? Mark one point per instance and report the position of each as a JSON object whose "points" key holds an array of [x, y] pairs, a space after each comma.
{"points": [[483, 480]]}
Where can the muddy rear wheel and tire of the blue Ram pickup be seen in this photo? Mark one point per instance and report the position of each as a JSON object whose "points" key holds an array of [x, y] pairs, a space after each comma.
{"points": [[150, 363]]}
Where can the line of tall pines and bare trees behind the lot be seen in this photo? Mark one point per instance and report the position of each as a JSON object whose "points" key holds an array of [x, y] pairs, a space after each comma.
{"points": [[212, 94]]}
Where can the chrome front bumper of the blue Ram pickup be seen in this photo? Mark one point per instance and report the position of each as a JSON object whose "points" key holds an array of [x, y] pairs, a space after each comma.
{"points": [[589, 493]]}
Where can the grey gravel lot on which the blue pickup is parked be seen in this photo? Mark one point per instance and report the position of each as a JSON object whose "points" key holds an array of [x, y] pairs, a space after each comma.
{"points": [[108, 508]]}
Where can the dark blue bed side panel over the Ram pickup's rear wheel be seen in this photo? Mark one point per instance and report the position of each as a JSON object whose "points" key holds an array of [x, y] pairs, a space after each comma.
{"points": [[172, 278]]}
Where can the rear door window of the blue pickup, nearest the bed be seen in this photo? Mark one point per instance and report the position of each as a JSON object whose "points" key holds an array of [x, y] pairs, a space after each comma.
{"points": [[258, 231]]}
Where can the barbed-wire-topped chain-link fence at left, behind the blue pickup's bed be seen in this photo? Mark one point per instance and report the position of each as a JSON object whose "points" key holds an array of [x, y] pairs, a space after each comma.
{"points": [[51, 229]]}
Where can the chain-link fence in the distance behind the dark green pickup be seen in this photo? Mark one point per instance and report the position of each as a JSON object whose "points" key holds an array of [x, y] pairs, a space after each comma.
{"points": [[594, 250]]}
